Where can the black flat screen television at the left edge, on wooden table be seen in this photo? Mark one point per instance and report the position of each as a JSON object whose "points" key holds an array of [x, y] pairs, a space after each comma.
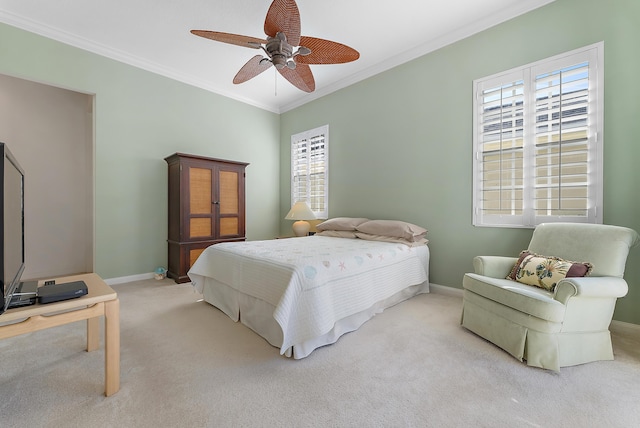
{"points": [[12, 259]]}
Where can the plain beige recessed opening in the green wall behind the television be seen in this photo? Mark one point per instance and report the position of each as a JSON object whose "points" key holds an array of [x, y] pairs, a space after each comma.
{"points": [[50, 132]]}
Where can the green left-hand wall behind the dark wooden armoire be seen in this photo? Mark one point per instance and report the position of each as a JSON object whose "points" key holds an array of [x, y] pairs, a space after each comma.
{"points": [[140, 118]]}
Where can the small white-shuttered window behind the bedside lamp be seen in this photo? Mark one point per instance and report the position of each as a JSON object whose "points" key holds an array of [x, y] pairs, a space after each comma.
{"points": [[309, 169]]}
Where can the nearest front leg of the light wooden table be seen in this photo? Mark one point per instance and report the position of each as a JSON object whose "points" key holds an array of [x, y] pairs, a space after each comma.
{"points": [[112, 346]]}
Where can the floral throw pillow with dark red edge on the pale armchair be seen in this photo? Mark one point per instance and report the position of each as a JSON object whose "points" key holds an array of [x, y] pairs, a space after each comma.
{"points": [[544, 271]]}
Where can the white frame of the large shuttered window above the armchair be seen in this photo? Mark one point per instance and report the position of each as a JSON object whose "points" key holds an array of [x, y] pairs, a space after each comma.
{"points": [[526, 75]]}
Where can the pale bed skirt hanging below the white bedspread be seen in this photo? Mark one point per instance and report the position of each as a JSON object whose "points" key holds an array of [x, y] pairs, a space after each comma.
{"points": [[258, 315]]}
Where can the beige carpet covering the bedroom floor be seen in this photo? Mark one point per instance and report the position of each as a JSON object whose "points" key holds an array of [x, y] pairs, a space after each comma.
{"points": [[185, 364]]}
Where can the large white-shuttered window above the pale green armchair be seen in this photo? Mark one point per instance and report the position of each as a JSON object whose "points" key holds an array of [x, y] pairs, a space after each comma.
{"points": [[538, 142]]}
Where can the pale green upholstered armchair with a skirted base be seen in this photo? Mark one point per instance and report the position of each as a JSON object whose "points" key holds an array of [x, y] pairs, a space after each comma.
{"points": [[566, 325]]}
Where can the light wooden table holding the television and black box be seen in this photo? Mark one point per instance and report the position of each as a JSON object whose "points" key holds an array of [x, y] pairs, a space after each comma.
{"points": [[101, 300]]}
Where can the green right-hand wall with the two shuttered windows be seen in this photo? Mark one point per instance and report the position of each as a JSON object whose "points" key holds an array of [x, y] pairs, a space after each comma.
{"points": [[401, 141]]}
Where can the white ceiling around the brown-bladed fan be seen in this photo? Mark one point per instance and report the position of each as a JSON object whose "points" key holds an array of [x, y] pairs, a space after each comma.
{"points": [[154, 35]]}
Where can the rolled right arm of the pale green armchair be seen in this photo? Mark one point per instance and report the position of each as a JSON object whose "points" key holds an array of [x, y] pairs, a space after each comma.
{"points": [[592, 286]]}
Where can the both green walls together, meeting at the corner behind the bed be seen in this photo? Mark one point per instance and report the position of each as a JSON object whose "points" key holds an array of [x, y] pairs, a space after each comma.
{"points": [[400, 141]]}
